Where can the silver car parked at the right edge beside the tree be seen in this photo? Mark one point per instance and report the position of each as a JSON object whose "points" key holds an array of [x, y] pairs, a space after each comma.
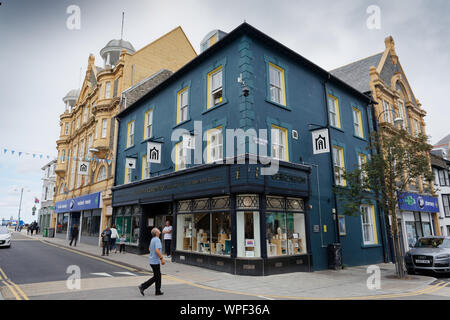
{"points": [[429, 253]]}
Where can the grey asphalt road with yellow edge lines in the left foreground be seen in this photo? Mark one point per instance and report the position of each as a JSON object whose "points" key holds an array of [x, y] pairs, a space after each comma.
{"points": [[32, 269]]}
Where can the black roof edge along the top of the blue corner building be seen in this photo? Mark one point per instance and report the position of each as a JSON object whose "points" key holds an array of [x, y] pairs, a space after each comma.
{"points": [[241, 30]]}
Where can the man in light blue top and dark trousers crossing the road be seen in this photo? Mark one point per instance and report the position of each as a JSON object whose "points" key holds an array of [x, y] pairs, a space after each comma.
{"points": [[156, 259]]}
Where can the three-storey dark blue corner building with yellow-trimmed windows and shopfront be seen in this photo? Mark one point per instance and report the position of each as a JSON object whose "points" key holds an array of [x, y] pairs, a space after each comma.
{"points": [[240, 150]]}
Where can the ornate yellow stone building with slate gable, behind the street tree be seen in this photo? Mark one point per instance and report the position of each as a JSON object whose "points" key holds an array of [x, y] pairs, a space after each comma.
{"points": [[383, 76]]}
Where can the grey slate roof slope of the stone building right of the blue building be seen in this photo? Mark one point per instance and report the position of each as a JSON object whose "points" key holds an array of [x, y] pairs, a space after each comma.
{"points": [[356, 73]]}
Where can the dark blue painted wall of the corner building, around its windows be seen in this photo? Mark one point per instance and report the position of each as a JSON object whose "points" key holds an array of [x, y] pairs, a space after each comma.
{"points": [[305, 105]]}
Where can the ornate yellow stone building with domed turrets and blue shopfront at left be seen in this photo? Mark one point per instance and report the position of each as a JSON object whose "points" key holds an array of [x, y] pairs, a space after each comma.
{"points": [[86, 146]]}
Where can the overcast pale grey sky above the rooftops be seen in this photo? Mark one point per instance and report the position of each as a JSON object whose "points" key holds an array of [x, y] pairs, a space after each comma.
{"points": [[40, 58]]}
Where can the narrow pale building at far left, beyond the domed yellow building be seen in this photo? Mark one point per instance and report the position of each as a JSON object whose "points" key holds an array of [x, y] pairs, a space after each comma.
{"points": [[48, 190]]}
